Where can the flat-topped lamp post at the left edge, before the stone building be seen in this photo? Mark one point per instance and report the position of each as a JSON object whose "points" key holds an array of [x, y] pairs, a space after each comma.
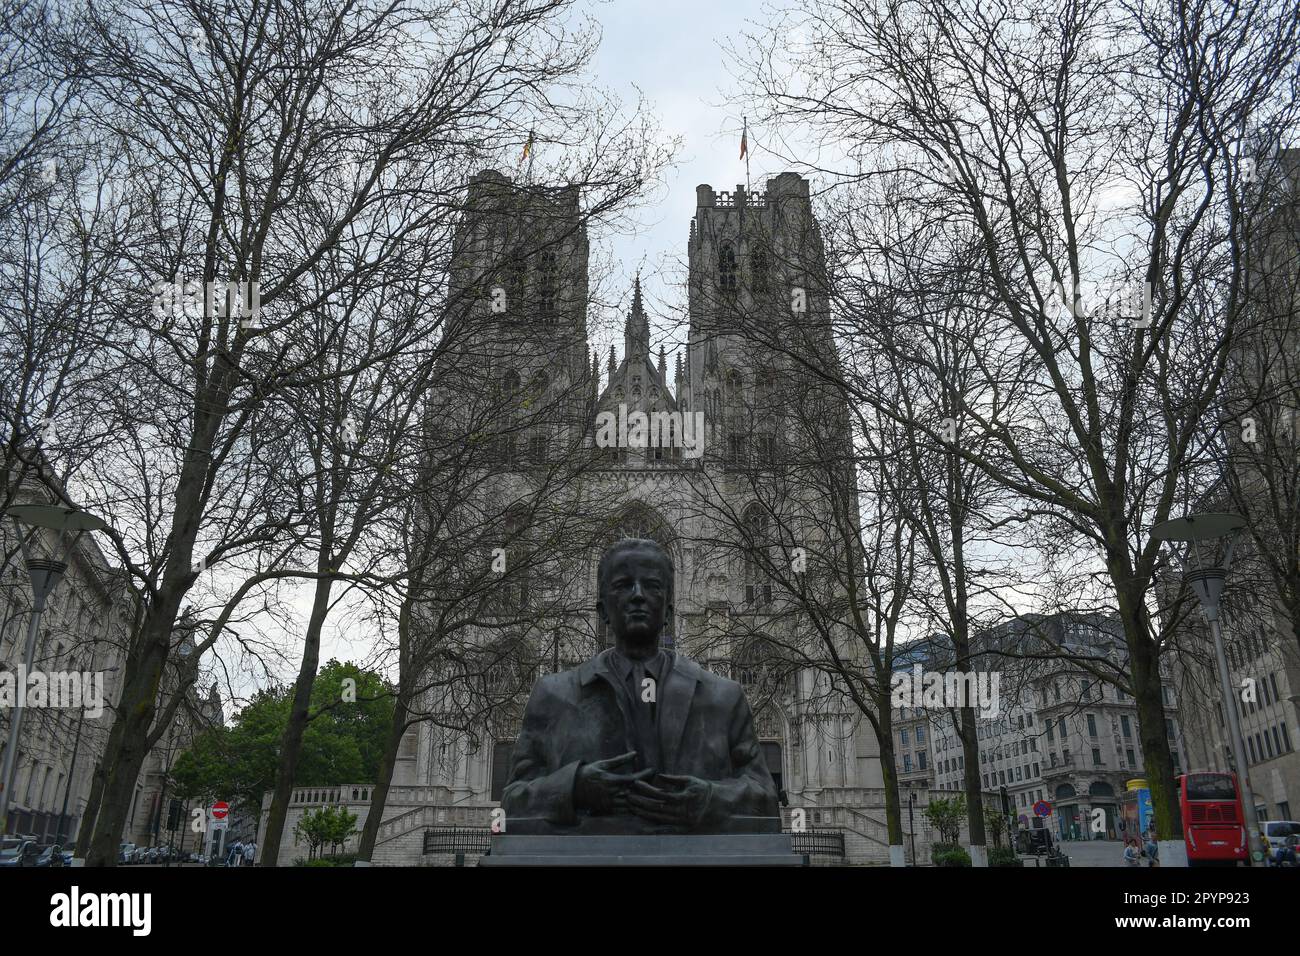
{"points": [[46, 574]]}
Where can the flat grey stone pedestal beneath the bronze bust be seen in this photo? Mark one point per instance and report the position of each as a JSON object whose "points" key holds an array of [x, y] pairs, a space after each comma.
{"points": [[665, 850]]}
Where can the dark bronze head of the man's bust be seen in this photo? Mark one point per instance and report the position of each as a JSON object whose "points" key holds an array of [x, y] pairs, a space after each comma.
{"points": [[635, 583]]}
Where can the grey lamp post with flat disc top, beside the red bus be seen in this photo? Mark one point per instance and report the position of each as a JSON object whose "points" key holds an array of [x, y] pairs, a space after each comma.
{"points": [[1203, 546]]}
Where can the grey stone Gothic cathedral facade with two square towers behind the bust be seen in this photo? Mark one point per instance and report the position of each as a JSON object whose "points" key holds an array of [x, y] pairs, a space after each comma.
{"points": [[708, 481]]}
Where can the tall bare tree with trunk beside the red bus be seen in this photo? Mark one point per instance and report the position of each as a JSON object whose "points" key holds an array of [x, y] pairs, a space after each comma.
{"points": [[1065, 150]]}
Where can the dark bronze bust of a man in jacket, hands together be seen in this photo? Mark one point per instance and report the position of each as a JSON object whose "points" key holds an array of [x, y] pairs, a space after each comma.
{"points": [[639, 736]]}
